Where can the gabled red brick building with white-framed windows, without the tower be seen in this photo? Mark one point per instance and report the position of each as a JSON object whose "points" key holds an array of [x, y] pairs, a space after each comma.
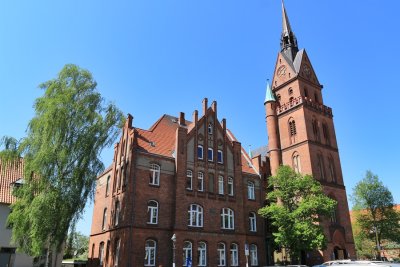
{"points": [[172, 145]]}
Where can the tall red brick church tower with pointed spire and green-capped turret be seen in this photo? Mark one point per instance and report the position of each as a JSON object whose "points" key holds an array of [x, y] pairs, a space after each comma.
{"points": [[301, 134]]}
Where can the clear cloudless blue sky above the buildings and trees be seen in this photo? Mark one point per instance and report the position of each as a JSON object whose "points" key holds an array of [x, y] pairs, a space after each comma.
{"points": [[165, 56]]}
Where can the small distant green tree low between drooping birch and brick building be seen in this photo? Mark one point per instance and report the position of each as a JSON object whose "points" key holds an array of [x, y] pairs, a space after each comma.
{"points": [[77, 246]]}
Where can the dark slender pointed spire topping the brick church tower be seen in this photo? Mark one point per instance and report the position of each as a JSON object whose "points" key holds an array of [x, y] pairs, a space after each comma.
{"points": [[288, 39]]}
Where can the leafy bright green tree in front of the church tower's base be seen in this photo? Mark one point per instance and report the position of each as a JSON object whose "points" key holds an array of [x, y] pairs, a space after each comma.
{"points": [[295, 206]]}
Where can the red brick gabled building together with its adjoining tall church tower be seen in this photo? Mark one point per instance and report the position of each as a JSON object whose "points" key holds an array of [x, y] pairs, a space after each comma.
{"points": [[185, 193]]}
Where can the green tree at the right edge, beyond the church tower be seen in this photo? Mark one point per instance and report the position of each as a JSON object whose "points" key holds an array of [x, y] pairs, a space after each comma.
{"points": [[375, 213]]}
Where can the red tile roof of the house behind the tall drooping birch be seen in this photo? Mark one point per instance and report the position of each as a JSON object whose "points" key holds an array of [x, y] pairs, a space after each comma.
{"points": [[9, 173]]}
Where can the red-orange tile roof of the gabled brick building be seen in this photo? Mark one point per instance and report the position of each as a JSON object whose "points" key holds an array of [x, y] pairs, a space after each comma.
{"points": [[160, 140]]}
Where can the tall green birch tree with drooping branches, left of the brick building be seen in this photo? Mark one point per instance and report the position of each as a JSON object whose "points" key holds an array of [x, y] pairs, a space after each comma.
{"points": [[61, 153]]}
